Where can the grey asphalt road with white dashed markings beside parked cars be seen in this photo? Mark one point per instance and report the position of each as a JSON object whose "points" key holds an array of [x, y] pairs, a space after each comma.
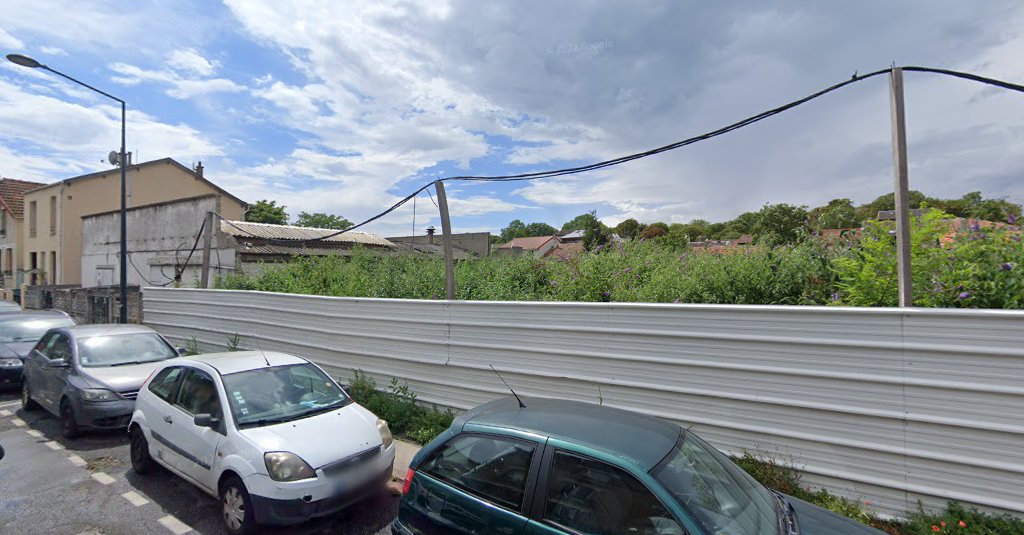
{"points": [[87, 487]]}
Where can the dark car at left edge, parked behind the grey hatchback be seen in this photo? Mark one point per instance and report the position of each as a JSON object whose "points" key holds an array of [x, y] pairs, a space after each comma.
{"points": [[19, 335]]}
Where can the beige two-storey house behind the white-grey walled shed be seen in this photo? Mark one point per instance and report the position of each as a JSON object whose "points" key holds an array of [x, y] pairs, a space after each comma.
{"points": [[53, 229]]}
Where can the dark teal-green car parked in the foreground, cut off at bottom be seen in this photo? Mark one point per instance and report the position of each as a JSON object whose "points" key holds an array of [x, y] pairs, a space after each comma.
{"points": [[551, 467]]}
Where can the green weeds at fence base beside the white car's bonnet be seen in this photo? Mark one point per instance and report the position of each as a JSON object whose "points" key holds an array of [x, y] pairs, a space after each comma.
{"points": [[399, 405]]}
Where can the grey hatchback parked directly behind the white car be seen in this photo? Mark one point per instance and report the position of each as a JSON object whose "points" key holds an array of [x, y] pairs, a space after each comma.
{"points": [[90, 376]]}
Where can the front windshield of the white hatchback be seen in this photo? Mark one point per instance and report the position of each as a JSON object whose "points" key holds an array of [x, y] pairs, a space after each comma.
{"points": [[279, 394]]}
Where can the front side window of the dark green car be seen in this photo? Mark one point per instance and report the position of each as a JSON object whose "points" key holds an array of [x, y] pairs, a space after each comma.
{"points": [[596, 499]]}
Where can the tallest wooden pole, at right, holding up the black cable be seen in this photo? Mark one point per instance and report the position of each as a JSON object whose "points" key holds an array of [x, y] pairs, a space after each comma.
{"points": [[903, 188]]}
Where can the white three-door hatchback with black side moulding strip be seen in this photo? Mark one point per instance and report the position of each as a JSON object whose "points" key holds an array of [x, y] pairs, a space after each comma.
{"points": [[270, 434]]}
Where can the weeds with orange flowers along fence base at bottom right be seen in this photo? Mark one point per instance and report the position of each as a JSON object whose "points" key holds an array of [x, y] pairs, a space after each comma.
{"points": [[955, 520]]}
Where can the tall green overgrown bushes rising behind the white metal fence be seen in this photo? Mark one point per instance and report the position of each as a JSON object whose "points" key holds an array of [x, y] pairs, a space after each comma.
{"points": [[975, 268]]}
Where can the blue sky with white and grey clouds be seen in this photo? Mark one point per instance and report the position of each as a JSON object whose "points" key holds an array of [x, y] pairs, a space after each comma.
{"points": [[346, 107]]}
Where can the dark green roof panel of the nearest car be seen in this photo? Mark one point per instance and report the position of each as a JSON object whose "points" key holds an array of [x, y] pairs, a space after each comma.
{"points": [[645, 440]]}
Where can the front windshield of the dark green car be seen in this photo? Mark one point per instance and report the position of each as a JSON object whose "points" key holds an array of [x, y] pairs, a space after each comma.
{"points": [[719, 495]]}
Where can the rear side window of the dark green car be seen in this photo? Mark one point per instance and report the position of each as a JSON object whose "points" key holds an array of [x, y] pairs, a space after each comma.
{"points": [[492, 468]]}
